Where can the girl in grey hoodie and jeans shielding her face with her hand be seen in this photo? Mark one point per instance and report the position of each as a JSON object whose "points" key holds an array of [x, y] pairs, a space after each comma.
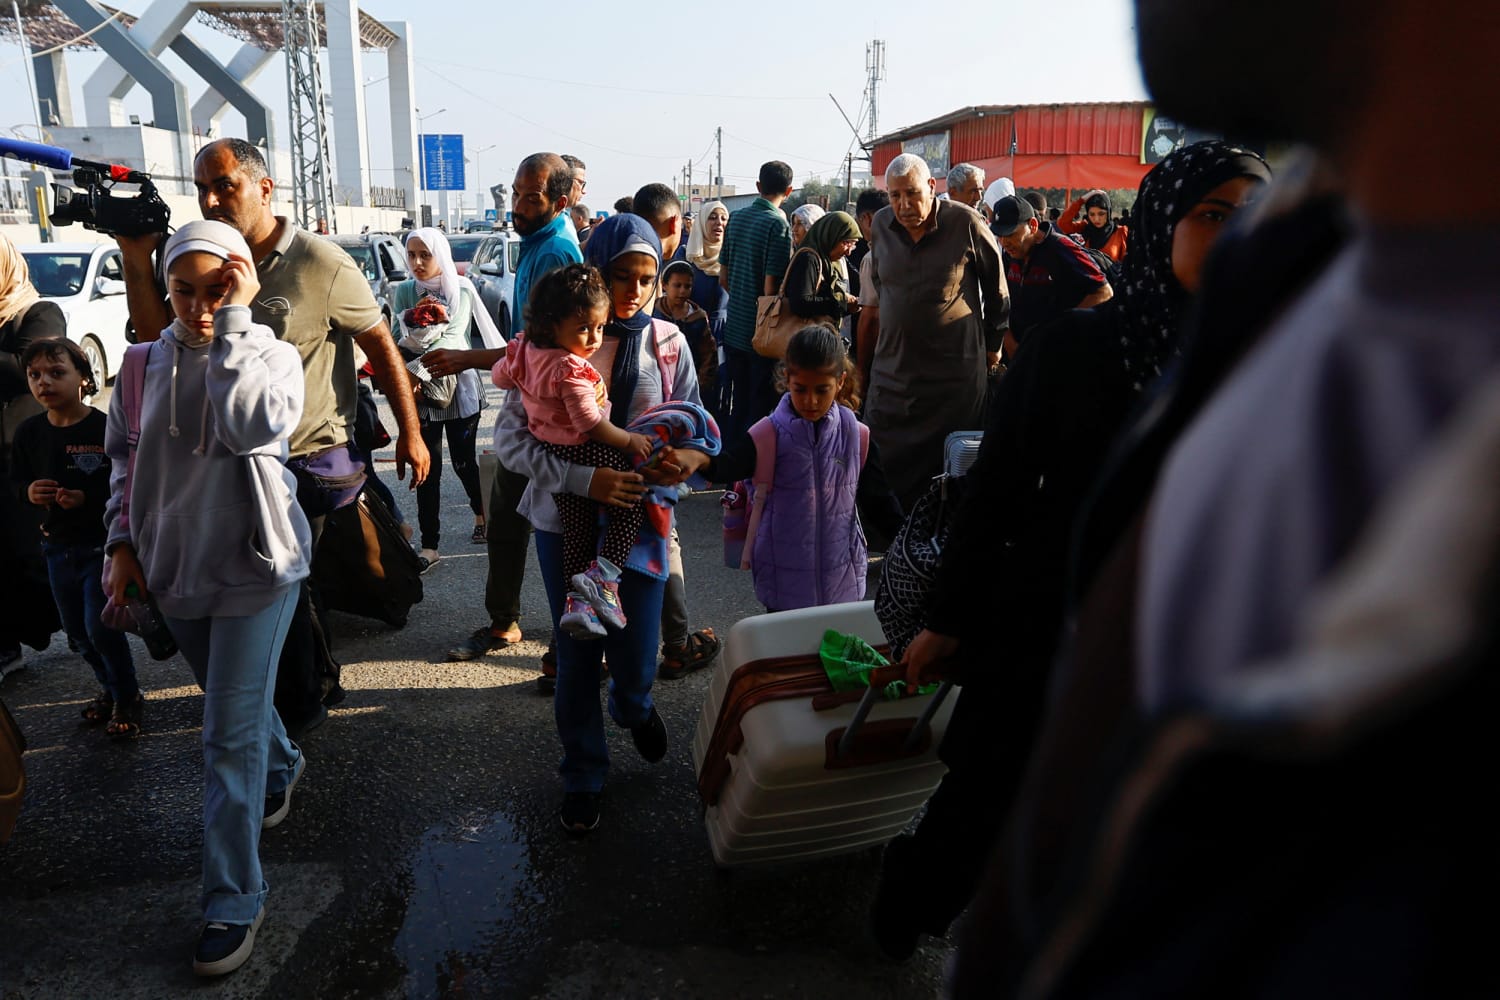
{"points": [[211, 530]]}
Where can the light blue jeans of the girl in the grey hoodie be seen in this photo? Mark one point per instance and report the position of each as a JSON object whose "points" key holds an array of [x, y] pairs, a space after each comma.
{"points": [[247, 755]]}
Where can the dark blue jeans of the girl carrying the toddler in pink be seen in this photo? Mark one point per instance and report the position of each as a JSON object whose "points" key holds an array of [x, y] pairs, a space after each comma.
{"points": [[632, 669]]}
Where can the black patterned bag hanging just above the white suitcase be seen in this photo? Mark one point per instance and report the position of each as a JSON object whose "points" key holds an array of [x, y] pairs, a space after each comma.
{"points": [[916, 555]]}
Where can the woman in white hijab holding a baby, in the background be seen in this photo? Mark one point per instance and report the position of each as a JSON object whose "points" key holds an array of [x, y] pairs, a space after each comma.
{"points": [[434, 311]]}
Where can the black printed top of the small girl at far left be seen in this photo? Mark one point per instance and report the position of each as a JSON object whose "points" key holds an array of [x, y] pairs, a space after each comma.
{"points": [[74, 458]]}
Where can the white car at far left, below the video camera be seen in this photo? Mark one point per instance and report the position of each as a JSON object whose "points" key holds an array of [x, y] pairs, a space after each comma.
{"points": [[88, 284]]}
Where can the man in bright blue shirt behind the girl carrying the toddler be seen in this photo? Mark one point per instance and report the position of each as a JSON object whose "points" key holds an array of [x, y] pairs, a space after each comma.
{"points": [[539, 212]]}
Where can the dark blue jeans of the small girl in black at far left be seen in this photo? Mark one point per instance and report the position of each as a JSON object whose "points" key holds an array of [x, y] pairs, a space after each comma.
{"points": [[76, 576]]}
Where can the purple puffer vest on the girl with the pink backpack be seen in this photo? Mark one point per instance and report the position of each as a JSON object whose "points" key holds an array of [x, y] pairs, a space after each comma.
{"points": [[811, 549]]}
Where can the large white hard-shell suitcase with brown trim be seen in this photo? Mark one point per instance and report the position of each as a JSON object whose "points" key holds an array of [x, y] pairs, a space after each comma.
{"points": [[779, 770]]}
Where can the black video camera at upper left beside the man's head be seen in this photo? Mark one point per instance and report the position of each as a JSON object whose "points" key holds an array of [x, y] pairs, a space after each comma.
{"points": [[92, 203]]}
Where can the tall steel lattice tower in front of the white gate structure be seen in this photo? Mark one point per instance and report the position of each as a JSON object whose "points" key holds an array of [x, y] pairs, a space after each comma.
{"points": [[313, 182]]}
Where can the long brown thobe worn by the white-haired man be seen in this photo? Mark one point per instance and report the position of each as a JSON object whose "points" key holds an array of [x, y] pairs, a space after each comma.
{"points": [[943, 307]]}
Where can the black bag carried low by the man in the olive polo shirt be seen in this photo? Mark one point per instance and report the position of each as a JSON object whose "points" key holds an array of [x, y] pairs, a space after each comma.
{"points": [[365, 566]]}
